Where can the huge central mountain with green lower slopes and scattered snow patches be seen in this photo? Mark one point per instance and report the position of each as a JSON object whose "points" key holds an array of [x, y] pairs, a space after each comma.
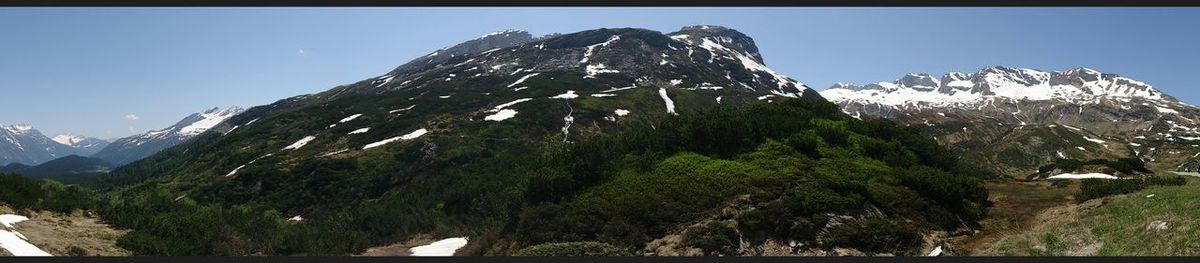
{"points": [[644, 142]]}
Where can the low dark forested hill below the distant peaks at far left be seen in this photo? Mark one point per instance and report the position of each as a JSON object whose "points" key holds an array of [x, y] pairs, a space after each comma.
{"points": [[71, 169]]}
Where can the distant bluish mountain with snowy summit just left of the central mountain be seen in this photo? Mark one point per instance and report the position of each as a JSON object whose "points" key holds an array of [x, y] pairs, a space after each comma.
{"points": [[134, 148]]}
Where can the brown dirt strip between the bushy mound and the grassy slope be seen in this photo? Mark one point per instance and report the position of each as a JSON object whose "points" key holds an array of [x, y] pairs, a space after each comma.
{"points": [[1017, 206]]}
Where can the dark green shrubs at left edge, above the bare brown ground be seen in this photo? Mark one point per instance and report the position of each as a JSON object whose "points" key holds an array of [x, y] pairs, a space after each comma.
{"points": [[22, 194]]}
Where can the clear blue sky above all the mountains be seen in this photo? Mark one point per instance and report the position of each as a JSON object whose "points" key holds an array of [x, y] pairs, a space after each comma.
{"points": [[110, 73]]}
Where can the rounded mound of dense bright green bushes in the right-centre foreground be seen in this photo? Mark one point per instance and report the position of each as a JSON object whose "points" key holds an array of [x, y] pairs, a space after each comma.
{"points": [[801, 177]]}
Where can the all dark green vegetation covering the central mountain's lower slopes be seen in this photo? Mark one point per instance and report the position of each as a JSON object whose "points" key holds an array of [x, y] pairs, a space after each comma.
{"points": [[796, 159]]}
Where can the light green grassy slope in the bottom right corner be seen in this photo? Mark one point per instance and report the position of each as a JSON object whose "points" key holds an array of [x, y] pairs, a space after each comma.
{"points": [[1114, 226]]}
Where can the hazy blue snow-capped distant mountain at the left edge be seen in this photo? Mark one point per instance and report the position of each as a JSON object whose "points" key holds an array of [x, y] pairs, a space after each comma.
{"points": [[25, 145]]}
